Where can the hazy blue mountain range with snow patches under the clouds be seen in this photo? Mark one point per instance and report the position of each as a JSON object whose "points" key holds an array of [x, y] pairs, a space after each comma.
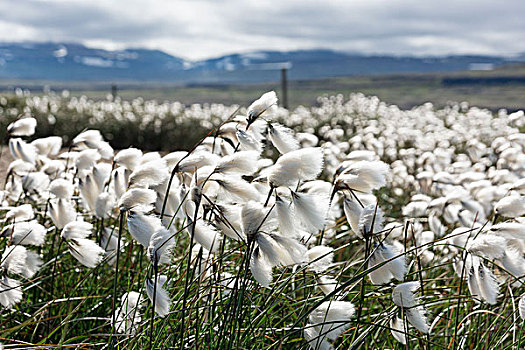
{"points": [[76, 62]]}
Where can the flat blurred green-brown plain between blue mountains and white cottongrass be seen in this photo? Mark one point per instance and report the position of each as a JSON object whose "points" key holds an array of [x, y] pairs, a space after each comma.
{"points": [[404, 90]]}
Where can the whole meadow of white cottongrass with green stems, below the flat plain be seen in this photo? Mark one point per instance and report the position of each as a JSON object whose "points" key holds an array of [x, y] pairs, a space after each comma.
{"points": [[351, 224]]}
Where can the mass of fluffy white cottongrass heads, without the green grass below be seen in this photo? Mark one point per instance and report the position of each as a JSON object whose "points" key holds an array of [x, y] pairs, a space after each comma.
{"points": [[265, 183]]}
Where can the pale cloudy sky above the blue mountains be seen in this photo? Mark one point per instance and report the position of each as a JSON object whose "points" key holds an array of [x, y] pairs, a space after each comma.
{"points": [[198, 29]]}
